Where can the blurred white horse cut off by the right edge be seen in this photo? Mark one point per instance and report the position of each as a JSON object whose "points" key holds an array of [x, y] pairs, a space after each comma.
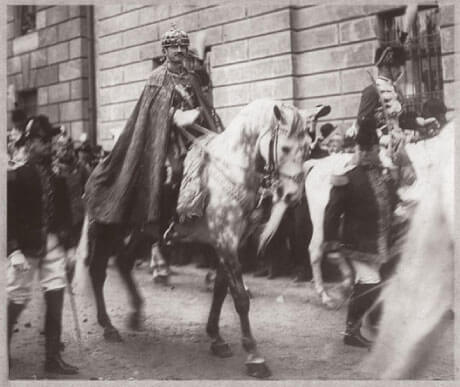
{"points": [[418, 300]]}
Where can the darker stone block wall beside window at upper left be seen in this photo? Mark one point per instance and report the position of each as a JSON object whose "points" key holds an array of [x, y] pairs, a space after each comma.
{"points": [[53, 59]]}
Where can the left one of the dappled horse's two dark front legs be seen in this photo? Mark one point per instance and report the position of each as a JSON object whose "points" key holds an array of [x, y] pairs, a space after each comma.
{"points": [[218, 346]]}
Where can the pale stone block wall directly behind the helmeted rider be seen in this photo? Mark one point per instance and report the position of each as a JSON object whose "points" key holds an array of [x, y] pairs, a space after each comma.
{"points": [[250, 54]]}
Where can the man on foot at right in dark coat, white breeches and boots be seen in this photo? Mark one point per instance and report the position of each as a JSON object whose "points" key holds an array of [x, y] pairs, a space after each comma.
{"points": [[363, 198]]}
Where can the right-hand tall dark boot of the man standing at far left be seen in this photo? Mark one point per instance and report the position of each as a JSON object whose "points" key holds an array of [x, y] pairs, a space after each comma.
{"points": [[53, 327]]}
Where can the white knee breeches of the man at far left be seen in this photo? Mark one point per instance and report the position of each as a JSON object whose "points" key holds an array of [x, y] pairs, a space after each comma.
{"points": [[51, 272]]}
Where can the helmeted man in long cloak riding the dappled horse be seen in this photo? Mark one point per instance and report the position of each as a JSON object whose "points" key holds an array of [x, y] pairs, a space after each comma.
{"points": [[128, 187]]}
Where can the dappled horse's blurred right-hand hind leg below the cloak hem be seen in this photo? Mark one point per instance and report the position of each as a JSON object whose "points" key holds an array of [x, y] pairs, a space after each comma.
{"points": [[125, 263]]}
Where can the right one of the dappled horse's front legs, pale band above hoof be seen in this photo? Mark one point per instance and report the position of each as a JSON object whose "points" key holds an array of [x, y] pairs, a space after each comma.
{"points": [[255, 364]]}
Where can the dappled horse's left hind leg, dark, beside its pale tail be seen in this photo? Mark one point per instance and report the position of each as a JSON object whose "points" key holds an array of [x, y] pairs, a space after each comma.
{"points": [[99, 254]]}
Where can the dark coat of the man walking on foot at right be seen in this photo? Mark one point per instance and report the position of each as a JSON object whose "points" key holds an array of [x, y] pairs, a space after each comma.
{"points": [[358, 215]]}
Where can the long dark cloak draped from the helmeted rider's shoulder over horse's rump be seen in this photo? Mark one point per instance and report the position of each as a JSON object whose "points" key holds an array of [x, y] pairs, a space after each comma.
{"points": [[126, 186]]}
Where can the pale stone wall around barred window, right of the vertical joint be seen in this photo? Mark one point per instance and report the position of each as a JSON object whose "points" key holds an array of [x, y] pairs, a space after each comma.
{"points": [[333, 48]]}
